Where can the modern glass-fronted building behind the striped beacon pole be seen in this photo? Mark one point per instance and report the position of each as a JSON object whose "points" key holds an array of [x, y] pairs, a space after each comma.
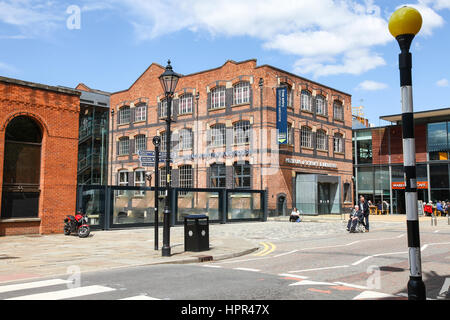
{"points": [[378, 160]]}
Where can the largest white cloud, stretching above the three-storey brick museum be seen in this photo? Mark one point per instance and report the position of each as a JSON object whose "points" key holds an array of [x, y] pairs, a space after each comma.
{"points": [[328, 37]]}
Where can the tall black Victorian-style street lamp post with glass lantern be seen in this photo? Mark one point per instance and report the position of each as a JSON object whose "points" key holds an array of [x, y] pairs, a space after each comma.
{"points": [[169, 81]]}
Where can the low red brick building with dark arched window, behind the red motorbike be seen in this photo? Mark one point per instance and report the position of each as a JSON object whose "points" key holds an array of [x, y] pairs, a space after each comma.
{"points": [[38, 152]]}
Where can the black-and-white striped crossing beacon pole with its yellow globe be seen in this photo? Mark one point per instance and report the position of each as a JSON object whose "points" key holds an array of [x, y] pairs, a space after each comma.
{"points": [[404, 24]]}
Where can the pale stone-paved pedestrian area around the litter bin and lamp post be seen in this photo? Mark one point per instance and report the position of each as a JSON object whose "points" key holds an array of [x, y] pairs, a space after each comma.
{"points": [[35, 256]]}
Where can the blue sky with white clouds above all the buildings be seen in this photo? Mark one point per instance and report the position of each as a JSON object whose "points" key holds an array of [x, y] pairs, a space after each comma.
{"points": [[342, 44]]}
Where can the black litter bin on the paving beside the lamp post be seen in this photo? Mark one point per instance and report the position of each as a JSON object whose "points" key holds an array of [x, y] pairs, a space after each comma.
{"points": [[196, 233]]}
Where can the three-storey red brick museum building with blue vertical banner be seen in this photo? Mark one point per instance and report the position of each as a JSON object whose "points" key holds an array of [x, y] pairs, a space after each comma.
{"points": [[224, 135]]}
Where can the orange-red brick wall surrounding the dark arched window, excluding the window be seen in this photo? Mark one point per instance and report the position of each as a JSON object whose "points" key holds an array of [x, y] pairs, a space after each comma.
{"points": [[56, 111]]}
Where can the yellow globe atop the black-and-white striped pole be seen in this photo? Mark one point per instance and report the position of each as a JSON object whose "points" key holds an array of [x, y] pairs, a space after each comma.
{"points": [[405, 20]]}
